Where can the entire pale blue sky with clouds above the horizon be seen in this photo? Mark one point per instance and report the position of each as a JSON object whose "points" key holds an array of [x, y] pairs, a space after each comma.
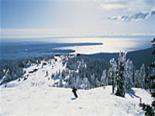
{"points": [[50, 18]]}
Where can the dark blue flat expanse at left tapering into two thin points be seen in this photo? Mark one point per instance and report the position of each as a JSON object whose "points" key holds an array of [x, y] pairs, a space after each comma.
{"points": [[13, 50]]}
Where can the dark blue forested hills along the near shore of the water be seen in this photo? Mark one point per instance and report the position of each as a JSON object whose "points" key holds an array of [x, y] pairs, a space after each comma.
{"points": [[136, 55]]}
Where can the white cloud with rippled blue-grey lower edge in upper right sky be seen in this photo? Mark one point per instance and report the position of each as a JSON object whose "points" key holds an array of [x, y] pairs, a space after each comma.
{"points": [[128, 10]]}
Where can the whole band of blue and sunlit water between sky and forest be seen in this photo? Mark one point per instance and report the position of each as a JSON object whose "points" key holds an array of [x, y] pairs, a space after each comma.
{"points": [[26, 48]]}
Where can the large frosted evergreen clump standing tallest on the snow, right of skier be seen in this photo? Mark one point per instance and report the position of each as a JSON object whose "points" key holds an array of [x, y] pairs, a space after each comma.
{"points": [[121, 74]]}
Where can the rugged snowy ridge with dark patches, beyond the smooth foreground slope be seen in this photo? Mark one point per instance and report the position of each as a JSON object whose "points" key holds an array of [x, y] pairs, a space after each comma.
{"points": [[39, 74]]}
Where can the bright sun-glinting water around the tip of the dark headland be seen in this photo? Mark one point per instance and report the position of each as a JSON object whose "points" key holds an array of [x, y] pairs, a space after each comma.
{"points": [[110, 44]]}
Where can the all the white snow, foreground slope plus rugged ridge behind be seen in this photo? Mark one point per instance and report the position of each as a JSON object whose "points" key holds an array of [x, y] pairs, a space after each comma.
{"points": [[36, 96]]}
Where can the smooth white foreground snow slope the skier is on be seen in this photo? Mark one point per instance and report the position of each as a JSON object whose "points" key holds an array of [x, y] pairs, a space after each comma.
{"points": [[51, 101]]}
